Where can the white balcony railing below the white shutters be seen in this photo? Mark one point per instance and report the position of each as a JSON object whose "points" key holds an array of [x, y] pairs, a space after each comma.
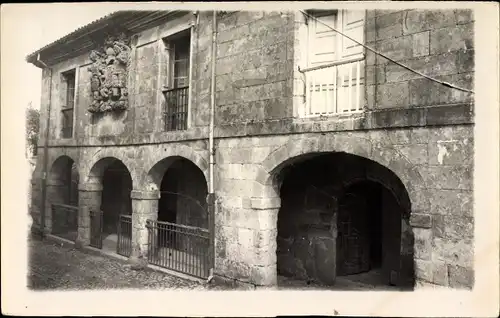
{"points": [[334, 89]]}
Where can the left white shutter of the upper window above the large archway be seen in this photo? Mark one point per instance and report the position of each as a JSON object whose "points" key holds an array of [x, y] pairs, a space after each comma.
{"points": [[322, 40]]}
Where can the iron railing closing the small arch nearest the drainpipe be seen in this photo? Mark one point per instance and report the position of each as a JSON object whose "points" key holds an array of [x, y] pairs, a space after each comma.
{"points": [[178, 247]]}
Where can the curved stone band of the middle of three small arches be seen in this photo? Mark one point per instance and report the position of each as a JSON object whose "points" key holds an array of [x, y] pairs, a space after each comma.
{"points": [[93, 171]]}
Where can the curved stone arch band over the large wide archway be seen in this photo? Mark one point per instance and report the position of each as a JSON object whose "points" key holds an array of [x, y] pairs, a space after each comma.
{"points": [[386, 156]]}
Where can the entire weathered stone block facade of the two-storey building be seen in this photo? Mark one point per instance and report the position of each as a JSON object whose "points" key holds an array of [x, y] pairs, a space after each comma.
{"points": [[419, 131]]}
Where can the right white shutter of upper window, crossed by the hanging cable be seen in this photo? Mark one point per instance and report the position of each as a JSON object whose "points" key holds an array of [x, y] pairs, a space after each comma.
{"points": [[352, 24]]}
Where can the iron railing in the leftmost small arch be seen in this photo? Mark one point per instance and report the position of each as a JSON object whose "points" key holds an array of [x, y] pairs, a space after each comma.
{"points": [[65, 221]]}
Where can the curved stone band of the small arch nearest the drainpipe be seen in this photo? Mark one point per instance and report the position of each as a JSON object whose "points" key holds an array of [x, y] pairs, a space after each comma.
{"points": [[159, 161]]}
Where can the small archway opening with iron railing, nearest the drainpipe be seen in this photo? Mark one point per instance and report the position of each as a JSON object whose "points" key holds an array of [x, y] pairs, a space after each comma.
{"points": [[180, 234]]}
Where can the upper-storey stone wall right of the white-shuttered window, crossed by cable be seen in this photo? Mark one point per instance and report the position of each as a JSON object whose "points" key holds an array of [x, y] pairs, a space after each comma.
{"points": [[438, 43]]}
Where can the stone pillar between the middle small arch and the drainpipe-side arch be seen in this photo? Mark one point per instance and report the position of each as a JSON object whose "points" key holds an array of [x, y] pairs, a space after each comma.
{"points": [[144, 207]]}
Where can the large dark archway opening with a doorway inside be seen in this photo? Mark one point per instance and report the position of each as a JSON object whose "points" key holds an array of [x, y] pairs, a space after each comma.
{"points": [[340, 223]]}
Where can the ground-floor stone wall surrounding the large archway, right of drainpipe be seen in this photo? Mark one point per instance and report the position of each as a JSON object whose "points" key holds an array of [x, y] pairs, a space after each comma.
{"points": [[440, 191]]}
